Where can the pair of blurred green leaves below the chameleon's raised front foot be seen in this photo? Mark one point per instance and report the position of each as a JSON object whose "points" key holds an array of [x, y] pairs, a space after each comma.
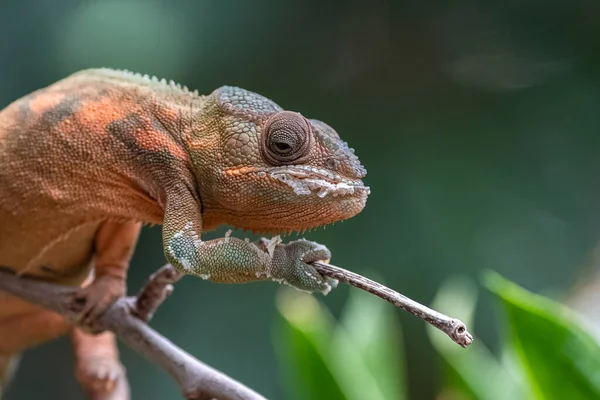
{"points": [[359, 358]]}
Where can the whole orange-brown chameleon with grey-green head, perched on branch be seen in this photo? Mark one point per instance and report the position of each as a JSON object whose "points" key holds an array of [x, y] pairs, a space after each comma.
{"points": [[89, 160]]}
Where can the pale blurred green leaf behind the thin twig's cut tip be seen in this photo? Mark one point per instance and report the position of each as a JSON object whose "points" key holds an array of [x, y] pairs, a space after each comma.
{"points": [[474, 371]]}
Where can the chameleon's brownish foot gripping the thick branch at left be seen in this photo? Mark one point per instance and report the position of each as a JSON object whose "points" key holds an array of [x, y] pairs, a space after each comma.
{"points": [[93, 300]]}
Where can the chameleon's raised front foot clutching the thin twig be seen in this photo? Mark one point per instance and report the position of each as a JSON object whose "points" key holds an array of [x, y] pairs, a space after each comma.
{"points": [[291, 265]]}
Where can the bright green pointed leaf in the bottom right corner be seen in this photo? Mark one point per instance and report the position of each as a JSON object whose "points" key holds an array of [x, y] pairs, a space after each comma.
{"points": [[560, 357]]}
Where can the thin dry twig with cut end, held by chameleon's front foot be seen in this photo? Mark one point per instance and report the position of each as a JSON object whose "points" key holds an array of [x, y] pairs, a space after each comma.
{"points": [[452, 327]]}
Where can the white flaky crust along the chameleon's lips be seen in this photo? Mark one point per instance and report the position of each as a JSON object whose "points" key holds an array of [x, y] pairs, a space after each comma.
{"points": [[305, 180]]}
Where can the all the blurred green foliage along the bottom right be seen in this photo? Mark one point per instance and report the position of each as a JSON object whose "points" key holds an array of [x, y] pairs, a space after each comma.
{"points": [[547, 353]]}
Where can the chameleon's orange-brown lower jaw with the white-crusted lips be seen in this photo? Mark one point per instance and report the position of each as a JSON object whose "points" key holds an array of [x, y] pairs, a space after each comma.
{"points": [[279, 212]]}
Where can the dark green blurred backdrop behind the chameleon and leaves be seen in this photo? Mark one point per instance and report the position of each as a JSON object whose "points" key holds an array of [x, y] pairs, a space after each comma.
{"points": [[477, 123]]}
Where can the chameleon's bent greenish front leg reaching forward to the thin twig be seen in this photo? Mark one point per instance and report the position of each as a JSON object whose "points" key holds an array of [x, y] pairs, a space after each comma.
{"points": [[232, 260]]}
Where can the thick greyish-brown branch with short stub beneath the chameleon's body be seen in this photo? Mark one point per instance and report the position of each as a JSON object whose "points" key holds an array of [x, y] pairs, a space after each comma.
{"points": [[196, 379]]}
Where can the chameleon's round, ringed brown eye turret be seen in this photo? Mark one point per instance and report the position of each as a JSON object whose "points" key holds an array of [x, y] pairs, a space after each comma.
{"points": [[286, 138]]}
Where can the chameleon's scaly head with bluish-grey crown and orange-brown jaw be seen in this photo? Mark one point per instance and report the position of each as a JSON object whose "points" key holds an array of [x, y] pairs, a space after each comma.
{"points": [[277, 170]]}
